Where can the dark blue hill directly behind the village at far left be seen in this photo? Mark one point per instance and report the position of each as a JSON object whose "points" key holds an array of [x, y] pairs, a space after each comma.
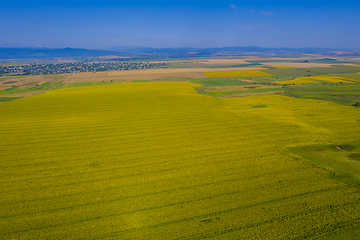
{"points": [[19, 53]]}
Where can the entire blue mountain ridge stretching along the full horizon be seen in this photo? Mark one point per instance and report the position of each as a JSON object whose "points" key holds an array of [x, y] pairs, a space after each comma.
{"points": [[148, 52]]}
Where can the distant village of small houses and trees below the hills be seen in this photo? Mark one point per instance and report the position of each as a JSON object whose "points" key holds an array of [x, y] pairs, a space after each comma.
{"points": [[38, 69]]}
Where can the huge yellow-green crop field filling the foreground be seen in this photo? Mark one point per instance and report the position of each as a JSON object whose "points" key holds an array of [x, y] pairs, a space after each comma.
{"points": [[159, 161]]}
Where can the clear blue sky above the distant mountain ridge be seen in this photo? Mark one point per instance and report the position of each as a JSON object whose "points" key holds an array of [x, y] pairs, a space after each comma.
{"points": [[171, 24]]}
